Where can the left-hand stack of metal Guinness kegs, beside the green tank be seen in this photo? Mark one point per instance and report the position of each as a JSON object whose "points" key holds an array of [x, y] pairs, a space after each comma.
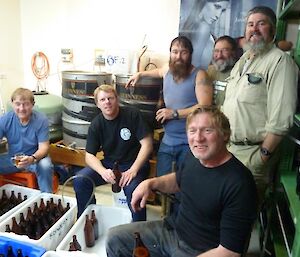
{"points": [[79, 107]]}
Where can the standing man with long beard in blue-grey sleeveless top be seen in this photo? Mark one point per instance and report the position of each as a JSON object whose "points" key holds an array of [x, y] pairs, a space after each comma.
{"points": [[184, 87]]}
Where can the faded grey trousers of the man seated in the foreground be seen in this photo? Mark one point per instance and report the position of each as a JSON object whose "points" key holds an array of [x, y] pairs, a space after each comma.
{"points": [[160, 238]]}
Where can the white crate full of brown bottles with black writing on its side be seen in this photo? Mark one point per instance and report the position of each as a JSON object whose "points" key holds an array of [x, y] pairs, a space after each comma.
{"points": [[43, 222]]}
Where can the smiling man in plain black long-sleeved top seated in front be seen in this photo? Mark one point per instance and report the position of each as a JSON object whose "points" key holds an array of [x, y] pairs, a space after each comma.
{"points": [[218, 199]]}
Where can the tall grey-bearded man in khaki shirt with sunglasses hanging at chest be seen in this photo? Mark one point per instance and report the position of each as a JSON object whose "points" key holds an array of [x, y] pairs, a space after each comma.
{"points": [[261, 97]]}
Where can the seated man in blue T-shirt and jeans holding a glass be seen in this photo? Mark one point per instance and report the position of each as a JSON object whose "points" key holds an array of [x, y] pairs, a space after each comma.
{"points": [[27, 133]]}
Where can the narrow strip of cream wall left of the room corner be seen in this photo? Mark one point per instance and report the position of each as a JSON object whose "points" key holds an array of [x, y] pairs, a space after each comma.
{"points": [[11, 69]]}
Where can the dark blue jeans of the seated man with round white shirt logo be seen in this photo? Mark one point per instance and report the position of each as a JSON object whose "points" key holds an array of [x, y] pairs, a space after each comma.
{"points": [[84, 188]]}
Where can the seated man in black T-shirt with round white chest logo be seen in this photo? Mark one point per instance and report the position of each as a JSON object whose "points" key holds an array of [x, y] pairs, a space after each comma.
{"points": [[122, 135]]}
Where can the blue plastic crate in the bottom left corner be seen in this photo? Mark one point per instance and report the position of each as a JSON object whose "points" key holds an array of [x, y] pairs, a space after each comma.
{"points": [[27, 248]]}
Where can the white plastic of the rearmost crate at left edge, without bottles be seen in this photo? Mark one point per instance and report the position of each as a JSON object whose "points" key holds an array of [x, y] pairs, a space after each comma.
{"points": [[31, 195]]}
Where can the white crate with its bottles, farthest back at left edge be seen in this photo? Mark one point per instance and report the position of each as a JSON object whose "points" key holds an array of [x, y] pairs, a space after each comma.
{"points": [[12, 203]]}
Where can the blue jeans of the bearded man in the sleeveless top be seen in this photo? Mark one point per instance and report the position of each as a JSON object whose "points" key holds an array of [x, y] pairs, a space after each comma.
{"points": [[165, 157]]}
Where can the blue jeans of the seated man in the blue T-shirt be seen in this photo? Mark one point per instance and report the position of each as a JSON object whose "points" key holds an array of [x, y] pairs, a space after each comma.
{"points": [[43, 170]]}
